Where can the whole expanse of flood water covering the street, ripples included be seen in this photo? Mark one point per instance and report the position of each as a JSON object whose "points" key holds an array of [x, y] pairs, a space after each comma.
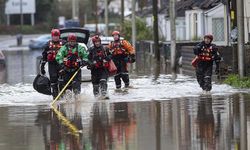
{"points": [[156, 114]]}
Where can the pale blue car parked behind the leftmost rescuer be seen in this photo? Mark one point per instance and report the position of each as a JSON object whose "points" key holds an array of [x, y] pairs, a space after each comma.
{"points": [[39, 42]]}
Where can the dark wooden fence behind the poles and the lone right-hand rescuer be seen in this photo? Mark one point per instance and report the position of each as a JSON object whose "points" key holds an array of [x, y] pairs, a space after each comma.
{"points": [[185, 54]]}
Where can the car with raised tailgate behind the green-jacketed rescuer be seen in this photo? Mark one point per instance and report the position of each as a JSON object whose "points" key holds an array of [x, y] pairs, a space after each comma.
{"points": [[82, 39]]}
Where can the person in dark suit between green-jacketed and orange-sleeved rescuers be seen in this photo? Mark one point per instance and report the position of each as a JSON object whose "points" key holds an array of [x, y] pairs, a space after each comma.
{"points": [[99, 57]]}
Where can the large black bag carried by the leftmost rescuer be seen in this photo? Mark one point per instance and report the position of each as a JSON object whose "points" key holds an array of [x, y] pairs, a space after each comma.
{"points": [[42, 84]]}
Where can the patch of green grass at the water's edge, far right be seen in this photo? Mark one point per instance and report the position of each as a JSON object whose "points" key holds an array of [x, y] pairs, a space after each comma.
{"points": [[236, 81]]}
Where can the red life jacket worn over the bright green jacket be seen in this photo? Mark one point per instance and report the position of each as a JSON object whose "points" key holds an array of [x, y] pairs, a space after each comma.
{"points": [[72, 59]]}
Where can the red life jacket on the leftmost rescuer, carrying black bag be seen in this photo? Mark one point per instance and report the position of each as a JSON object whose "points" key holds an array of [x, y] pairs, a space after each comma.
{"points": [[53, 49]]}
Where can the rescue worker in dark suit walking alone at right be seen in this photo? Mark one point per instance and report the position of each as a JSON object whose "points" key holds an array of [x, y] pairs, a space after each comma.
{"points": [[205, 54]]}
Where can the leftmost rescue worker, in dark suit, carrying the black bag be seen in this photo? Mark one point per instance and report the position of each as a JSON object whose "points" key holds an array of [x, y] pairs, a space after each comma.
{"points": [[49, 54]]}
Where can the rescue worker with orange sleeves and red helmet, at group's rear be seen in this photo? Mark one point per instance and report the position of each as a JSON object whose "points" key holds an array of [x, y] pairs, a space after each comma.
{"points": [[122, 54]]}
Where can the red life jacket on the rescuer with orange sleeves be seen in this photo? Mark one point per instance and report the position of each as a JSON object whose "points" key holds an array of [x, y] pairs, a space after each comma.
{"points": [[117, 48]]}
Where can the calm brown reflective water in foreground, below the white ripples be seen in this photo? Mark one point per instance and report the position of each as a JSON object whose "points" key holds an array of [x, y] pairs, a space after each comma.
{"points": [[194, 123]]}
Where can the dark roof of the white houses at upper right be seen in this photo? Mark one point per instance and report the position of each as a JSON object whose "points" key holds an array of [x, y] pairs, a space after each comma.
{"points": [[182, 6]]}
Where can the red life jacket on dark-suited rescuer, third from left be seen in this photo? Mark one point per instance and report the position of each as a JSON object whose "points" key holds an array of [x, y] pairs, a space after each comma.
{"points": [[99, 55]]}
